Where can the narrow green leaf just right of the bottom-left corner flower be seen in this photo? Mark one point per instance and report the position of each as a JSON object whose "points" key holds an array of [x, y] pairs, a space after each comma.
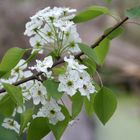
{"points": [[25, 118]]}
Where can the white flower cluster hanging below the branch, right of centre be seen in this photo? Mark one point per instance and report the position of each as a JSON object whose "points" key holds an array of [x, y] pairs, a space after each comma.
{"points": [[76, 79]]}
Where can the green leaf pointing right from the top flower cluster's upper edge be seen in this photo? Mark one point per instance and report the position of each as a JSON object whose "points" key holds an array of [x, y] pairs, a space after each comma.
{"points": [[90, 13]]}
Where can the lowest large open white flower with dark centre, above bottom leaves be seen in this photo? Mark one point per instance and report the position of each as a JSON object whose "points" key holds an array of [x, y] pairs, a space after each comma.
{"points": [[52, 111]]}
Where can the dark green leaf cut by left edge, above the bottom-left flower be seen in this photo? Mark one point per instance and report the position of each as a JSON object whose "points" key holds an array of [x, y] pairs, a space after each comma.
{"points": [[7, 106]]}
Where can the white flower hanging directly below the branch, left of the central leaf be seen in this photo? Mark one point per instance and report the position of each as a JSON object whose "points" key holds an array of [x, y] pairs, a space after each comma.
{"points": [[38, 93]]}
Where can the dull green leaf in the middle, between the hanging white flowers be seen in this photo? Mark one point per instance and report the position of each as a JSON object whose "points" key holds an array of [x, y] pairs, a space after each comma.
{"points": [[52, 89]]}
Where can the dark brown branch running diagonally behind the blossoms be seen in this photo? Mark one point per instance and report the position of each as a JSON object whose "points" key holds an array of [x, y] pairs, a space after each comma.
{"points": [[61, 60]]}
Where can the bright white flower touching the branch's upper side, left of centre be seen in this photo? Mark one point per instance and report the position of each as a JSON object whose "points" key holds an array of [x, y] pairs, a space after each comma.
{"points": [[43, 66]]}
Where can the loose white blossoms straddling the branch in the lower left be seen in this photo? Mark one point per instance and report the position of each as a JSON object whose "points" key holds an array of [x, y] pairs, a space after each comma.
{"points": [[33, 91]]}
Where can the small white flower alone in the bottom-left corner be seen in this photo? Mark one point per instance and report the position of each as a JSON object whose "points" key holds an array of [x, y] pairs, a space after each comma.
{"points": [[11, 124]]}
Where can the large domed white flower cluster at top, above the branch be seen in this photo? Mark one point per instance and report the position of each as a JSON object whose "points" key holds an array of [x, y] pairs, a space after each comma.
{"points": [[53, 29]]}
